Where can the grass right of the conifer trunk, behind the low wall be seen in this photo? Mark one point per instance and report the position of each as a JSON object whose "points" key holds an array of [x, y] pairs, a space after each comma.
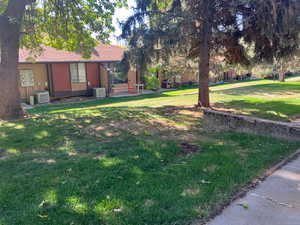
{"points": [[266, 99]]}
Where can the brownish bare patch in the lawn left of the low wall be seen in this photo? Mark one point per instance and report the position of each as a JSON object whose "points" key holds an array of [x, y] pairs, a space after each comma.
{"points": [[171, 128]]}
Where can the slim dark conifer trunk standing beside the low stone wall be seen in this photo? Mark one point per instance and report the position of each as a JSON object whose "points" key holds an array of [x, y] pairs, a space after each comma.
{"points": [[204, 62]]}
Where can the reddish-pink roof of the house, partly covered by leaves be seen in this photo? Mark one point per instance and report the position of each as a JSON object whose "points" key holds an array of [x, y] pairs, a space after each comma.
{"points": [[101, 53]]}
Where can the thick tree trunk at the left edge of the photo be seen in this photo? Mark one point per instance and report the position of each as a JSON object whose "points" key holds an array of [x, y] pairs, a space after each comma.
{"points": [[10, 26]]}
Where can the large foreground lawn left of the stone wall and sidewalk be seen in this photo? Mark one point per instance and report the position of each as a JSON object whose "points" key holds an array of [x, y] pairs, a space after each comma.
{"points": [[125, 161]]}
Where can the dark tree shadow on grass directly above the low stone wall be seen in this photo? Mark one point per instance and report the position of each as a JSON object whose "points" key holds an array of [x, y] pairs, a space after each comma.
{"points": [[274, 110]]}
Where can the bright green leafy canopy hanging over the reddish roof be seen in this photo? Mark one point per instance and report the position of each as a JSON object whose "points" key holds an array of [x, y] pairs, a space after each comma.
{"points": [[73, 25]]}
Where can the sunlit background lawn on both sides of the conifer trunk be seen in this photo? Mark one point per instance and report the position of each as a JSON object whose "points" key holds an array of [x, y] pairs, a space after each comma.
{"points": [[263, 98]]}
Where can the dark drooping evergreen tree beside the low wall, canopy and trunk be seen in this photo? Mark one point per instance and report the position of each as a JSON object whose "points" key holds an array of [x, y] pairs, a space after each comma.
{"points": [[243, 31]]}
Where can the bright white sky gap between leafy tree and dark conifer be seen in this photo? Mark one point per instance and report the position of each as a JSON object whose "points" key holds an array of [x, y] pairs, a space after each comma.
{"points": [[120, 16]]}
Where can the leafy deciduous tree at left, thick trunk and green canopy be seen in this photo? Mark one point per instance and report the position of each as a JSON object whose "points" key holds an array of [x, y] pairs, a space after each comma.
{"points": [[63, 24]]}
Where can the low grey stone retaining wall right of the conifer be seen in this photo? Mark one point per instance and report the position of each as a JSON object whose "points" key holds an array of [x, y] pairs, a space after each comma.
{"points": [[223, 121]]}
